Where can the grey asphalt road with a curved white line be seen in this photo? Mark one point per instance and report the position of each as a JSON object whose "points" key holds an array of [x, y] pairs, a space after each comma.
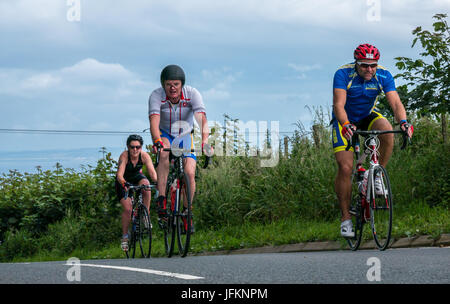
{"points": [[397, 266]]}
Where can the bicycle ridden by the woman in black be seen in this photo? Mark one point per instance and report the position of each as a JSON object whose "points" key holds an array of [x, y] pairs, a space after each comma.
{"points": [[141, 226]]}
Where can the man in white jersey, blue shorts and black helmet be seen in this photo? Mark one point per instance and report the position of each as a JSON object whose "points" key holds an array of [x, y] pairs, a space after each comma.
{"points": [[172, 109]]}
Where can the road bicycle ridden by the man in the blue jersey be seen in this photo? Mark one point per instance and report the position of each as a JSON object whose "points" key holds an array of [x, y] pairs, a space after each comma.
{"points": [[369, 205]]}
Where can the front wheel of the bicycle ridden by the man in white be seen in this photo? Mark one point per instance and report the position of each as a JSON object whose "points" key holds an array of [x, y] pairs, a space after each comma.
{"points": [[184, 220]]}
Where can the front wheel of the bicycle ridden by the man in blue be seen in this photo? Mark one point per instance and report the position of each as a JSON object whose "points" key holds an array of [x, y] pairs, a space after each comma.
{"points": [[380, 208]]}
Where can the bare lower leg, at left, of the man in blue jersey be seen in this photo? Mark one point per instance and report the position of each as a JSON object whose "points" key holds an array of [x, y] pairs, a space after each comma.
{"points": [[343, 185]]}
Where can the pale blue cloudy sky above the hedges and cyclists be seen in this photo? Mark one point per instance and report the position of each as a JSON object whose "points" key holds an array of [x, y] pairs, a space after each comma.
{"points": [[90, 65]]}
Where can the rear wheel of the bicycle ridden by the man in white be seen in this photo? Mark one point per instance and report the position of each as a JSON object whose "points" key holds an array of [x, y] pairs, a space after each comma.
{"points": [[169, 225]]}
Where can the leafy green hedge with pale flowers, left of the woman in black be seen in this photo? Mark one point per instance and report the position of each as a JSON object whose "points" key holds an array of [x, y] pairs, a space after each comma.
{"points": [[59, 209]]}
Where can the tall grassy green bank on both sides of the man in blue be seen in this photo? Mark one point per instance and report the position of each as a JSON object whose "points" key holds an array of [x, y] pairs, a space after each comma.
{"points": [[237, 189]]}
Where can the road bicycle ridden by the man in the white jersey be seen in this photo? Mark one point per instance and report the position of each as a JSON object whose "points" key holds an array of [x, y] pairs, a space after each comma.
{"points": [[178, 223]]}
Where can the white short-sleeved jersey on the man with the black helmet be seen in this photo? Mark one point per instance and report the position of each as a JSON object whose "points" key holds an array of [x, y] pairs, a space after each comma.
{"points": [[176, 118]]}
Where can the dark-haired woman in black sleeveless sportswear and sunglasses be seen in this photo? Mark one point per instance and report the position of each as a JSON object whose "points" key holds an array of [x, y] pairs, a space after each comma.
{"points": [[129, 170]]}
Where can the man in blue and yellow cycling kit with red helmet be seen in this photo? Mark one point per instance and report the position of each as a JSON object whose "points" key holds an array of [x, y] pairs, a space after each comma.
{"points": [[356, 87]]}
